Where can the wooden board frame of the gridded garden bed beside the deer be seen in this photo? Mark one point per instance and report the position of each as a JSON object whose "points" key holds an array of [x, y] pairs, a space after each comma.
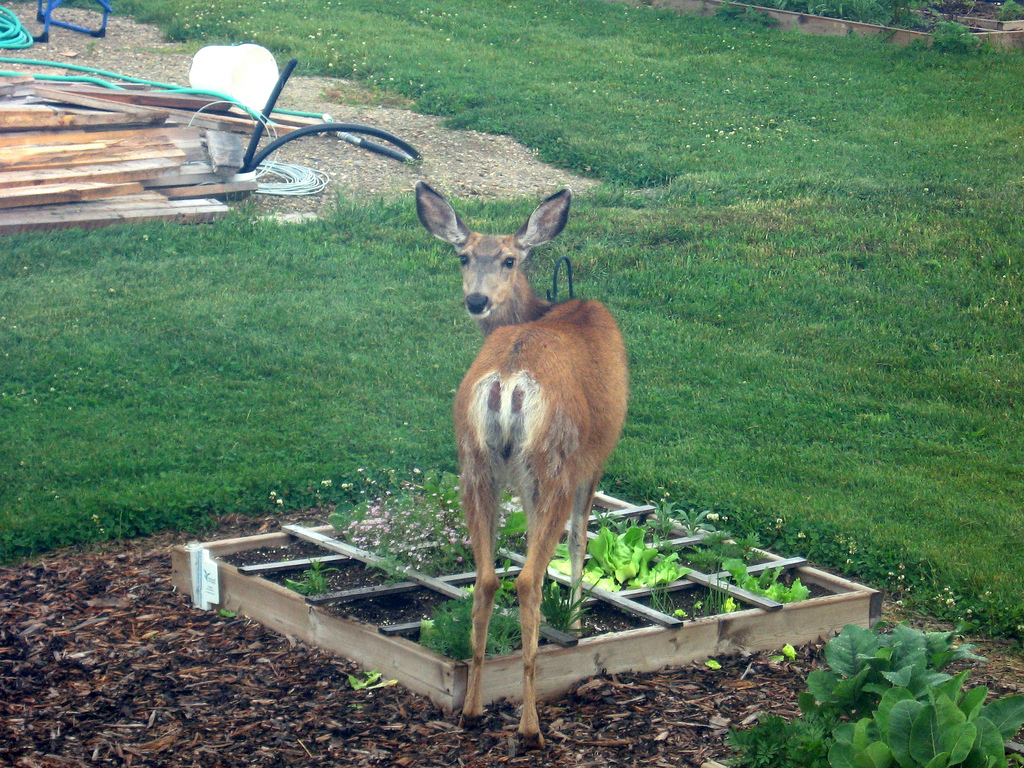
{"points": [[672, 643]]}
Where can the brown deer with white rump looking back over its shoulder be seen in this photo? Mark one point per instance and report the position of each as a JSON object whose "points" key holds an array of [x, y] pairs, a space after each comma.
{"points": [[538, 413]]}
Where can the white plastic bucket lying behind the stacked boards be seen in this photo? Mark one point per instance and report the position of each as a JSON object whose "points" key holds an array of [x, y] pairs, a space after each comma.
{"points": [[246, 73]]}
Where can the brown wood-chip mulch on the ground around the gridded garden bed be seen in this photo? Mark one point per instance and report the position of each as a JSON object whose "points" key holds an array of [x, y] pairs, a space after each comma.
{"points": [[104, 664]]}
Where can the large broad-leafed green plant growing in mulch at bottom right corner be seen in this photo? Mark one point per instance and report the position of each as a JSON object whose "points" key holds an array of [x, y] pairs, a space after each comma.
{"points": [[885, 702]]}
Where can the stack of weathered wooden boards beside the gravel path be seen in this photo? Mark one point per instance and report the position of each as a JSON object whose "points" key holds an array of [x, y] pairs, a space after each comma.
{"points": [[84, 156]]}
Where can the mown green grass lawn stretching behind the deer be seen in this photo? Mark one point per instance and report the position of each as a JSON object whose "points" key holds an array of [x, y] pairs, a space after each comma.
{"points": [[819, 280]]}
